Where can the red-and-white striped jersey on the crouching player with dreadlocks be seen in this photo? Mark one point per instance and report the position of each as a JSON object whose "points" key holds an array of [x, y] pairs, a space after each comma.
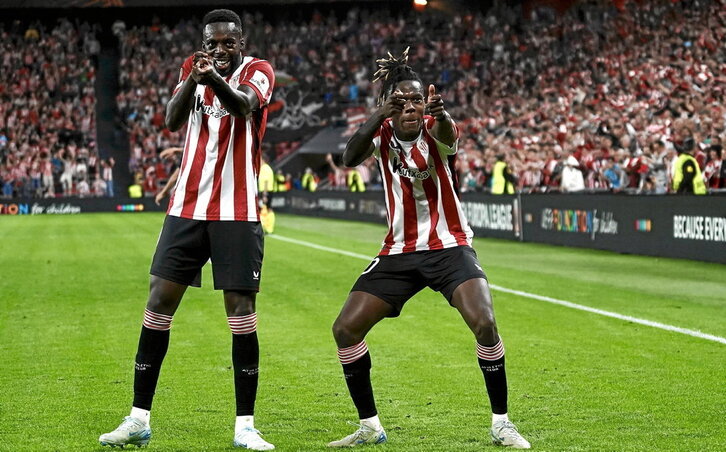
{"points": [[423, 208]]}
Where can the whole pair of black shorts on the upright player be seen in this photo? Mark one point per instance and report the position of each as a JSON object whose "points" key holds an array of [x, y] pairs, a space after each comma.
{"points": [[235, 248]]}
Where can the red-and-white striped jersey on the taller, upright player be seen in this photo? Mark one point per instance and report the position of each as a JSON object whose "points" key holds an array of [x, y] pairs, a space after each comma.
{"points": [[221, 162]]}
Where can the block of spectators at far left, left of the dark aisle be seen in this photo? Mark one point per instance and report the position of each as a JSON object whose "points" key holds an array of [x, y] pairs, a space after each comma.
{"points": [[47, 116]]}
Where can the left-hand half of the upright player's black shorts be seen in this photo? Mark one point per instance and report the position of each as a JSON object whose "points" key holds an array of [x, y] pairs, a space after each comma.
{"points": [[181, 251]]}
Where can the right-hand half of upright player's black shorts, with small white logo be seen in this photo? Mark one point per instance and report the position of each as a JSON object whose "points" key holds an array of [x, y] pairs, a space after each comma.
{"points": [[237, 249]]}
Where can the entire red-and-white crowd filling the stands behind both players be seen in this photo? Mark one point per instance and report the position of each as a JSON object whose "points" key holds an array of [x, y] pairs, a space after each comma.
{"points": [[607, 89]]}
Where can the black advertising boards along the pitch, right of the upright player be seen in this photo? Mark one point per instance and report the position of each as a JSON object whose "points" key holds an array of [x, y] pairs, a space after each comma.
{"points": [[690, 227]]}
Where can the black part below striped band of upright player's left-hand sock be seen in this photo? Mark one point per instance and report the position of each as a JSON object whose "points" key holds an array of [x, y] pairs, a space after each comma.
{"points": [[153, 345]]}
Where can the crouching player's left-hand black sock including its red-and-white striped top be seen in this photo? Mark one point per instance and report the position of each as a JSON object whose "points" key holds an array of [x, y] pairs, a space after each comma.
{"points": [[356, 363]]}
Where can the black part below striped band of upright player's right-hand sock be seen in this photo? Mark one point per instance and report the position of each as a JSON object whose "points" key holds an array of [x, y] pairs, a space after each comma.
{"points": [[245, 359]]}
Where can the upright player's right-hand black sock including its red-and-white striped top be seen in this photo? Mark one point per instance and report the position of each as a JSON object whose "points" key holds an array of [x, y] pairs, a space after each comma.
{"points": [[245, 360]]}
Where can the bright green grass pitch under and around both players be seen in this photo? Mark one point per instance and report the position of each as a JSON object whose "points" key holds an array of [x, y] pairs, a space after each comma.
{"points": [[73, 288]]}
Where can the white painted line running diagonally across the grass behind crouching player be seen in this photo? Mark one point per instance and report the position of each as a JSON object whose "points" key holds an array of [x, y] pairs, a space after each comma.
{"points": [[568, 304]]}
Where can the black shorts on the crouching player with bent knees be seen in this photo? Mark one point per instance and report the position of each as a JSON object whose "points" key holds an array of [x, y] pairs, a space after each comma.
{"points": [[398, 277]]}
